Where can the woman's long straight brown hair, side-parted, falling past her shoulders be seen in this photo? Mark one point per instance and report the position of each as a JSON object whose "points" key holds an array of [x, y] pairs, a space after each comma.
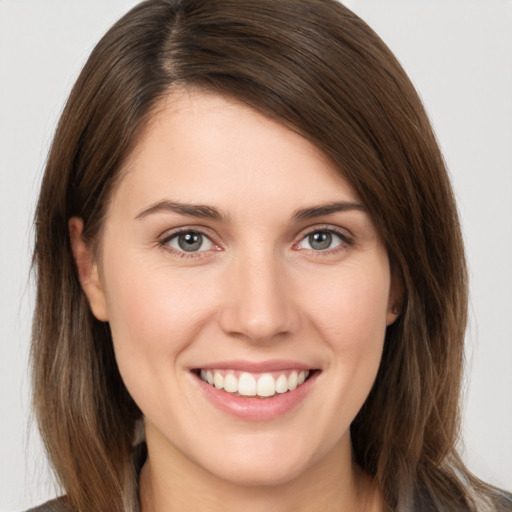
{"points": [[318, 68]]}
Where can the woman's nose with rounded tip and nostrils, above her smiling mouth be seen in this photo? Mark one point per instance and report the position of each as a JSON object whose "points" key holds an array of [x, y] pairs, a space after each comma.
{"points": [[258, 305]]}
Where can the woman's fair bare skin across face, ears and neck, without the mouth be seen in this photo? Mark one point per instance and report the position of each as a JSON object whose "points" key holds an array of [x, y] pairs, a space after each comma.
{"points": [[257, 290]]}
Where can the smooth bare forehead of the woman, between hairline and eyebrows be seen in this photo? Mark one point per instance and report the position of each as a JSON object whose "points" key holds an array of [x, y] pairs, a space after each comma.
{"points": [[203, 147]]}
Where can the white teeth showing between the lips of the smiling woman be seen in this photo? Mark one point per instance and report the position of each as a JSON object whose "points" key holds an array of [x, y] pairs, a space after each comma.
{"points": [[259, 385]]}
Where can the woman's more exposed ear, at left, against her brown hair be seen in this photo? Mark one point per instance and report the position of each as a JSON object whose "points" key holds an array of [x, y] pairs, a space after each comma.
{"points": [[87, 268]]}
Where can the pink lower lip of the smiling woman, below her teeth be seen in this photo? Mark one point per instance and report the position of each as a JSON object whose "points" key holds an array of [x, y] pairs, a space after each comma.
{"points": [[254, 408]]}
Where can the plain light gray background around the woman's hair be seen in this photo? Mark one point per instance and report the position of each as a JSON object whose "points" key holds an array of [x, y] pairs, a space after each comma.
{"points": [[459, 55]]}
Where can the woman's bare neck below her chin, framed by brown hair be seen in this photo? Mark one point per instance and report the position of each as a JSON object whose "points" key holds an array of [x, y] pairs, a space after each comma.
{"points": [[171, 482]]}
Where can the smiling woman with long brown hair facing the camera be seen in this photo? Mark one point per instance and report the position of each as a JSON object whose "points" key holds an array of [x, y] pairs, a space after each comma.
{"points": [[260, 267]]}
